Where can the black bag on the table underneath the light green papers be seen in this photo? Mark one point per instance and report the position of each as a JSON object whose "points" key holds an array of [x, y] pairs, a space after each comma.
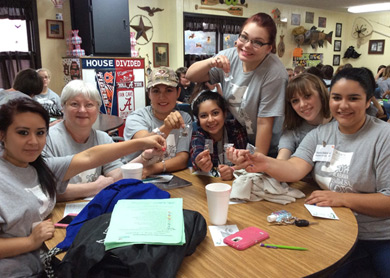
{"points": [[87, 258]]}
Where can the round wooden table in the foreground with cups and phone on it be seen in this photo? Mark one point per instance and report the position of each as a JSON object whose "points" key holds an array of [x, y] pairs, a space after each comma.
{"points": [[328, 242]]}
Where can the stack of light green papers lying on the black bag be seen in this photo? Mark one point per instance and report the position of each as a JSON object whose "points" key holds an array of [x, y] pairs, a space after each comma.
{"points": [[146, 221]]}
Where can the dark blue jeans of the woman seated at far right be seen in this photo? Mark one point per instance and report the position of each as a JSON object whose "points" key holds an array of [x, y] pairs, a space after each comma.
{"points": [[370, 258]]}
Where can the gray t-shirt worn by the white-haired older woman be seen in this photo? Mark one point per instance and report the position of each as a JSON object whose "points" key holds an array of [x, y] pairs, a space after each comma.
{"points": [[60, 143]]}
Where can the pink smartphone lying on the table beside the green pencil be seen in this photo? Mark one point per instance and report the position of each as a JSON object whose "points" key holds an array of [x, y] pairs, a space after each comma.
{"points": [[246, 238]]}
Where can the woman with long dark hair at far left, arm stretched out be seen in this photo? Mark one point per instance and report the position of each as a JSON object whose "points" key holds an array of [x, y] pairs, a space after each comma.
{"points": [[29, 182]]}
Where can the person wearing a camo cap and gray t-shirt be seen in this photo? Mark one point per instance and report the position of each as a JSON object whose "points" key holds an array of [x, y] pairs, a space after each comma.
{"points": [[162, 118]]}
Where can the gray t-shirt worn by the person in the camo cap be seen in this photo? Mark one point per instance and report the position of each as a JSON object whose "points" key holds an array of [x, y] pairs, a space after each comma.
{"points": [[143, 119]]}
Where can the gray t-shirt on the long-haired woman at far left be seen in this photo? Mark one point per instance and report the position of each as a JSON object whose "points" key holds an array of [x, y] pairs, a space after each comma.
{"points": [[22, 206]]}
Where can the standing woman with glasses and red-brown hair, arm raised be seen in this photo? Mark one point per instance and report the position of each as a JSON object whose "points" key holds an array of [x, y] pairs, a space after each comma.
{"points": [[253, 81]]}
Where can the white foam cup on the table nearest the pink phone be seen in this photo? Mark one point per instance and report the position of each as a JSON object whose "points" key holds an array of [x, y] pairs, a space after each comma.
{"points": [[218, 196]]}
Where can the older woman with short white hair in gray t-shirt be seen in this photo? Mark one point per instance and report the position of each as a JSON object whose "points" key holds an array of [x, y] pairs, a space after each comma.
{"points": [[81, 102]]}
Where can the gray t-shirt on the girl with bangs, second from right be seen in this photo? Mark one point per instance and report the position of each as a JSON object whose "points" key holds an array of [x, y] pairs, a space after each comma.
{"points": [[292, 138]]}
